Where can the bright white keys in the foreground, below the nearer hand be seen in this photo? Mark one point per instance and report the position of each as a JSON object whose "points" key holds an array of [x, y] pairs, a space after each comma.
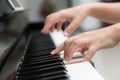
{"points": [[83, 71]]}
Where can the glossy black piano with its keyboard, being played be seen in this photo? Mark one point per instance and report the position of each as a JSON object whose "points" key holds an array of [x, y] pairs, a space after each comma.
{"points": [[25, 52]]}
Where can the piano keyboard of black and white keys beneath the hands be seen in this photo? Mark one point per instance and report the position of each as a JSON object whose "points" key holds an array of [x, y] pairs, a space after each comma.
{"points": [[39, 64]]}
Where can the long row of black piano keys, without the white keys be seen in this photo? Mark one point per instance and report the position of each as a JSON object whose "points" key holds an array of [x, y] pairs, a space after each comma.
{"points": [[38, 63]]}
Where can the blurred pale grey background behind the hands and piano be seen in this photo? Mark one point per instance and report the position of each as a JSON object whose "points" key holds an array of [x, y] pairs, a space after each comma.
{"points": [[106, 61]]}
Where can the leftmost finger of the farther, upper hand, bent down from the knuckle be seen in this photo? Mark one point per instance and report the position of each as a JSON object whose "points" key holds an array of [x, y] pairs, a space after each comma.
{"points": [[54, 18]]}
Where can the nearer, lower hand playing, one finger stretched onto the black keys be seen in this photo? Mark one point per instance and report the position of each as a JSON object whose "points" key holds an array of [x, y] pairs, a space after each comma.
{"points": [[90, 42]]}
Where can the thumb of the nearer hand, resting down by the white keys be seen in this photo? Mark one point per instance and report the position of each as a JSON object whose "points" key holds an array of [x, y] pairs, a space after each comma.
{"points": [[91, 51]]}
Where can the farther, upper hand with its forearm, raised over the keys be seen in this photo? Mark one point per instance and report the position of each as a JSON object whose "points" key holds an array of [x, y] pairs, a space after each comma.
{"points": [[76, 15]]}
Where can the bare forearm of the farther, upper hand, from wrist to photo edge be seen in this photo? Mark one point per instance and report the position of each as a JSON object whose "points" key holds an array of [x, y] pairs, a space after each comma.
{"points": [[107, 12]]}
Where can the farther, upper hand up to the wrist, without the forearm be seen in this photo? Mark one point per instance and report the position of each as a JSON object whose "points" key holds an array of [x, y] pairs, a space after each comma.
{"points": [[75, 16]]}
